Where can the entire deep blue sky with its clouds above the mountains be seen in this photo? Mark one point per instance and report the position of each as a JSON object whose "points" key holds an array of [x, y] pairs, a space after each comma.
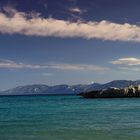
{"points": [[68, 41]]}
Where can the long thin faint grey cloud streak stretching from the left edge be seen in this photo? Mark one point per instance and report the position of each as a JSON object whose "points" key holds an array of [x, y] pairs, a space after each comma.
{"points": [[60, 66]]}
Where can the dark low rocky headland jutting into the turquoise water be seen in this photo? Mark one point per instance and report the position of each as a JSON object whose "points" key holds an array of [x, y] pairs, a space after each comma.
{"points": [[113, 92]]}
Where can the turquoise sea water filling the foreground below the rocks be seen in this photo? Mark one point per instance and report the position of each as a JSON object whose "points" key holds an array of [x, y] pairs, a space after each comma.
{"points": [[69, 118]]}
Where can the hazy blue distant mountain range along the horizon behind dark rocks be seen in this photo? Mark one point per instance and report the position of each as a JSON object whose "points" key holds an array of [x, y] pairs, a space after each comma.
{"points": [[41, 89]]}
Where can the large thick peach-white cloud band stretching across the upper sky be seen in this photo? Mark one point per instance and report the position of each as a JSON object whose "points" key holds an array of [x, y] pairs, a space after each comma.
{"points": [[14, 22]]}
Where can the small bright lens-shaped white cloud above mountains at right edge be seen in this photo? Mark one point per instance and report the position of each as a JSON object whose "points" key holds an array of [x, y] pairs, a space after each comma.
{"points": [[130, 61]]}
